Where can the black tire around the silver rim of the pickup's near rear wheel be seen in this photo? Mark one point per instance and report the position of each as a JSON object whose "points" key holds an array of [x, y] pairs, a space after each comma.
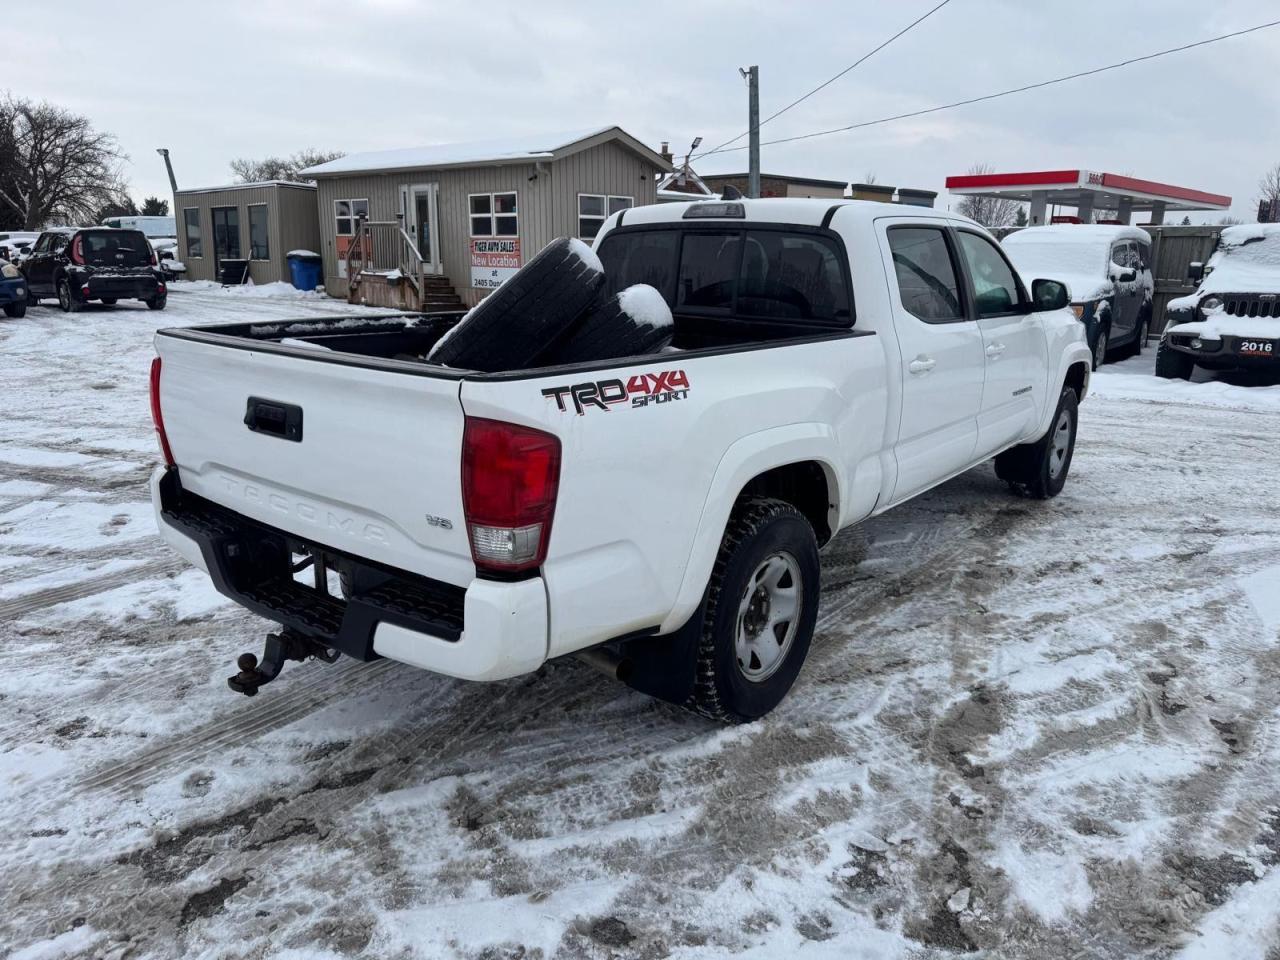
{"points": [[761, 532]]}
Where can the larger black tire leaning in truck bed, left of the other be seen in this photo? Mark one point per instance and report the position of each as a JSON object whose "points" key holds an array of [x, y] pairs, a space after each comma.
{"points": [[511, 327]]}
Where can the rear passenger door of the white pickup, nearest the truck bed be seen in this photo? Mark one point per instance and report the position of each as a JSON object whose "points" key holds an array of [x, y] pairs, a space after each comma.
{"points": [[940, 350]]}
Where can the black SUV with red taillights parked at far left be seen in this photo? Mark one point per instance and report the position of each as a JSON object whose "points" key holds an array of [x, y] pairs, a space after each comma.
{"points": [[95, 263]]}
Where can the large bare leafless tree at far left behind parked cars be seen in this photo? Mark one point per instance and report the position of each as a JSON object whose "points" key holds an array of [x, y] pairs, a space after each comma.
{"points": [[53, 164]]}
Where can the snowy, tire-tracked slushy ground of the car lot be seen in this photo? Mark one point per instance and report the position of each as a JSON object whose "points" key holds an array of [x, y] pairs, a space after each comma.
{"points": [[1031, 729]]}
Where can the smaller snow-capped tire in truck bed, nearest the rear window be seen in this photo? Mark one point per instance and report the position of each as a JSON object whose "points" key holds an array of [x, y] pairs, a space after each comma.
{"points": [[633, 322]]}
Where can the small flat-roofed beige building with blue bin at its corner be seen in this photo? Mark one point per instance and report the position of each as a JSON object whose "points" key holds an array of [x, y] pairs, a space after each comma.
{"points": [[255, 222]]}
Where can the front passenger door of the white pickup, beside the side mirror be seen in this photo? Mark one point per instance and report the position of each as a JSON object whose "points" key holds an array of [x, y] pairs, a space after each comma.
{"points": [[1014, 348]]}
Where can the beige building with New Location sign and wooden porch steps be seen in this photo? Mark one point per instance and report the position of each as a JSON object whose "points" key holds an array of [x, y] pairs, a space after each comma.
{"points": [[428, 226]]}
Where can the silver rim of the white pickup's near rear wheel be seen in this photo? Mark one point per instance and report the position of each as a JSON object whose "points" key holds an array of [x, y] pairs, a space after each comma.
{"points": [[769, 618]]}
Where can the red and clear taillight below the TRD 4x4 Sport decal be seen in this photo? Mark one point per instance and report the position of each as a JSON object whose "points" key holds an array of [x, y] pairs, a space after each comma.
{"points": [[510, 479]]}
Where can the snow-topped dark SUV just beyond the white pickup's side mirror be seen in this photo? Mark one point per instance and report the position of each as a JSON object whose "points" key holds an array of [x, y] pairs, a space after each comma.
{"points": [[1109, 272]]}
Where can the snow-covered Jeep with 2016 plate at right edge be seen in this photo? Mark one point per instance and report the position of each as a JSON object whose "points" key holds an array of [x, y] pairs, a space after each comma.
{"points": [[1233, 321]]}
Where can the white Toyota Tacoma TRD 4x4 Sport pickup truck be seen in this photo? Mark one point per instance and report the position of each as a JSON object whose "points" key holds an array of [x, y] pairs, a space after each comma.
{"points": [[661, 515]]}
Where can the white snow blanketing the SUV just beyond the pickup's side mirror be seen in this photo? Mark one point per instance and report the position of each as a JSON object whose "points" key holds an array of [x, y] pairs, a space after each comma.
{"points": [[1080, 255]]}
